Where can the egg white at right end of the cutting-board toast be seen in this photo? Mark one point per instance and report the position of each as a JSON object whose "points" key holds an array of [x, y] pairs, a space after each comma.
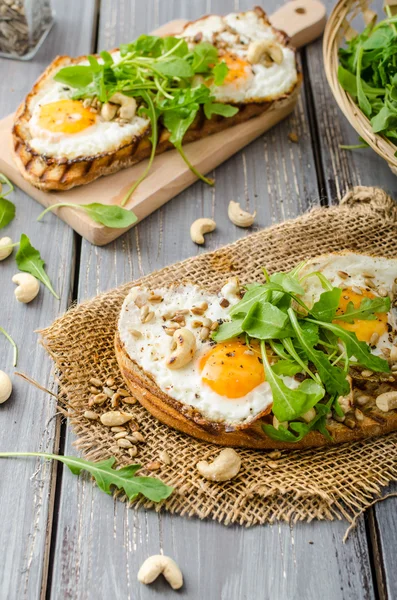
{"points": [[233, 33]]}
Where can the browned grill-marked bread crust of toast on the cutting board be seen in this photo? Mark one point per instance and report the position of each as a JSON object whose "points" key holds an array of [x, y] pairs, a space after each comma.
{"points": [[49, 173]]}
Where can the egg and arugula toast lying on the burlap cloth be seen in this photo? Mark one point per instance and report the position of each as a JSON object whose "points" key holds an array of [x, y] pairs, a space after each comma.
{"points": [[302, 359]]}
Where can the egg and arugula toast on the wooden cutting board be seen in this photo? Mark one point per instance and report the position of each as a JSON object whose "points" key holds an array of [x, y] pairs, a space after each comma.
{"points": [[92, 116]]}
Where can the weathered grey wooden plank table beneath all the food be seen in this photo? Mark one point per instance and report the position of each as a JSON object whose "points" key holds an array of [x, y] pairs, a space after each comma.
{"points": [[60, 537]]}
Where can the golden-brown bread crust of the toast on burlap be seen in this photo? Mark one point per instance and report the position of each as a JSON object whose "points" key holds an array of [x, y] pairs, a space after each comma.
{"points": [[184, 418]]}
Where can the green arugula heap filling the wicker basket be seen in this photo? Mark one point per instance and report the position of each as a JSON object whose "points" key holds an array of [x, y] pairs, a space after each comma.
{"points": [[368, 72]]}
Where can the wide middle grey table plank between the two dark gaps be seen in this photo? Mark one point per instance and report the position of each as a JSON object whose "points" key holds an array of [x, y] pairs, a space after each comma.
{"points": [[101, 543]]}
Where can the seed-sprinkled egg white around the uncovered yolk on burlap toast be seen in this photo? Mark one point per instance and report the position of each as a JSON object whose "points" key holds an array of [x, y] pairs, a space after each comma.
{"points": [[185, 385]]}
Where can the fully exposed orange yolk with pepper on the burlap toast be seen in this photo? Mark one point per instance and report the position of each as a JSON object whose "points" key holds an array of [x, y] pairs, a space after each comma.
{"points": [[232, 369]]}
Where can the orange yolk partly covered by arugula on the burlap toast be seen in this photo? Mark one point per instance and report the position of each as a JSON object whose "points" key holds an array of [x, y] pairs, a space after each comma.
{"points": [[362, 328]]}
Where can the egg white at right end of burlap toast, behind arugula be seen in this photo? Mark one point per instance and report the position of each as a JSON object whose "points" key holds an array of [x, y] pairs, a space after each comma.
{"points": [[357, 267]]}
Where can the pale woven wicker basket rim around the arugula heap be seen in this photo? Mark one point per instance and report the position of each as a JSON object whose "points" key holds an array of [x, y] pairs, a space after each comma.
{"points": [[338, 30]]}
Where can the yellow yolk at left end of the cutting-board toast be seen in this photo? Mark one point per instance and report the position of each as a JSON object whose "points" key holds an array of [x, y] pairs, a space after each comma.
{"points": [[66, 116]]}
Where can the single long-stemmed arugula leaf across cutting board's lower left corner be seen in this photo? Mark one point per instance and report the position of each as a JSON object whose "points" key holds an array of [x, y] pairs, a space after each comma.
{"points": [[108, 215]]}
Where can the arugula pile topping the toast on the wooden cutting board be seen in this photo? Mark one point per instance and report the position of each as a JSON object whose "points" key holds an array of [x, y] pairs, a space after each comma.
{"points": [[167, 79]]}
